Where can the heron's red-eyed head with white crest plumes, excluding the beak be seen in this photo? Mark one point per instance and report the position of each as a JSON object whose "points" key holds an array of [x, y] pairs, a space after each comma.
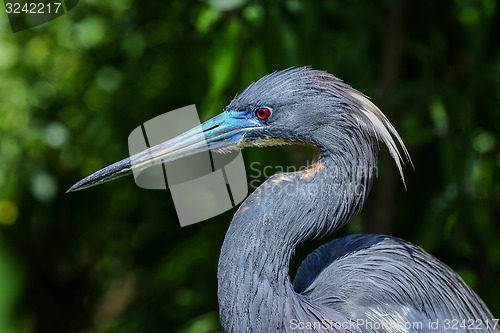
{"points": [[306, 106]]}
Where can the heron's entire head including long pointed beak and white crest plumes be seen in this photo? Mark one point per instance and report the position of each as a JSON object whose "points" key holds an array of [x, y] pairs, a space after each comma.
{"points": [[297, 105]]}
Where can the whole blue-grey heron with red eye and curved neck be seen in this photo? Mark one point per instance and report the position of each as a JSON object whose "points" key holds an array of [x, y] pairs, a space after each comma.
{"points": [[359, 283]]}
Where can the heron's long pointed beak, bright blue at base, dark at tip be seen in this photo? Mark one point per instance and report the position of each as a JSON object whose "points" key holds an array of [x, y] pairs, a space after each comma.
{"points": [[224, 131]]}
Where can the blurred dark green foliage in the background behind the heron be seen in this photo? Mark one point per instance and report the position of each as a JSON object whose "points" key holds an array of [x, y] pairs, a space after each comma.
{"points": [[113, 258]]}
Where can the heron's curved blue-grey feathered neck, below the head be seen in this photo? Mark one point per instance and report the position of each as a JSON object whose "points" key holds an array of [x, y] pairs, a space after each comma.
{"points": [[255, 290]]}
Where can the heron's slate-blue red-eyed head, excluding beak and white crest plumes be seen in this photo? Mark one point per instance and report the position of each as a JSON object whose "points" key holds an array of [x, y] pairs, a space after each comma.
{"points": [[297, 105]]}
